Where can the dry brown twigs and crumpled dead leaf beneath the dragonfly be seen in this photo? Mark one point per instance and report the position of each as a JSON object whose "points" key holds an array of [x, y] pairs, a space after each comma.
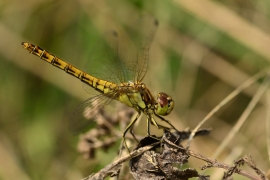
{"points": [[150, 163]]}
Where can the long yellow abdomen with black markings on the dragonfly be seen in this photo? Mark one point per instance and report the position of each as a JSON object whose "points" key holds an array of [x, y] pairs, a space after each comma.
{"points": [[98, 84]]}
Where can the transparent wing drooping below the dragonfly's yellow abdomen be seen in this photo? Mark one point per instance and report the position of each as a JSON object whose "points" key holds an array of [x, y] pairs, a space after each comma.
{"points": [[87, 112]]}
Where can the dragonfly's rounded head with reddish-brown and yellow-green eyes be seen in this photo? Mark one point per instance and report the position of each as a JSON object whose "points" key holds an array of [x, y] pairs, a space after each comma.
{"points": [[164, 104]]}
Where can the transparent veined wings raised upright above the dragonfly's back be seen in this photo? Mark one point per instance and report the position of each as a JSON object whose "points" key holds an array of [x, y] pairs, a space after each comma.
{"points": [[123, 55]]}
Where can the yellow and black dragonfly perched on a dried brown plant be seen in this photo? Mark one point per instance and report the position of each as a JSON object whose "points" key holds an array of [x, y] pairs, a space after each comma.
{"points": [[117, 74]]}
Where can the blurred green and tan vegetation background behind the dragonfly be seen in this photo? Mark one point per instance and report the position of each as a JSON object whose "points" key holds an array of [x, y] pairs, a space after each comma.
{"points": [[201, 52]]}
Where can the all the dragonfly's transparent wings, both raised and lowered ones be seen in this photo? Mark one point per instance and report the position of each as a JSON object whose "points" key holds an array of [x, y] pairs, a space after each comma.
{"points": [[122, 56]]}
